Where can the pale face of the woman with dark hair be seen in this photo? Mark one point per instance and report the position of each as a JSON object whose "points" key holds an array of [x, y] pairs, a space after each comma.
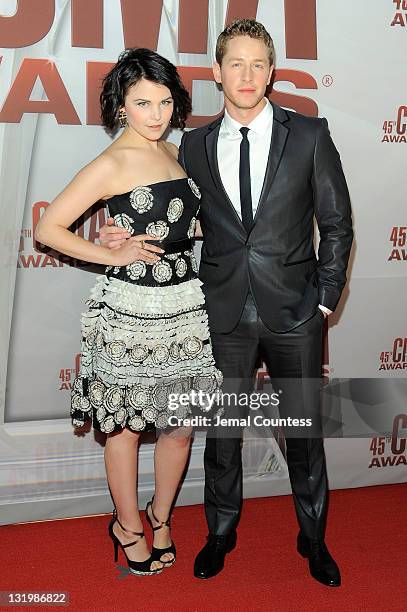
{"points": [[149, 108]]}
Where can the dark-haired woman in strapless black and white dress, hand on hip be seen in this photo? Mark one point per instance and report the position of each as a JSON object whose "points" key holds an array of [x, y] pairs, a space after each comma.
{"points": [[145, 335]]}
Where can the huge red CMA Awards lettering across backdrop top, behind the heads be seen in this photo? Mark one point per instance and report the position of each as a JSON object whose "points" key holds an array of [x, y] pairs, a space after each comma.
{"points": [[141, 23]]}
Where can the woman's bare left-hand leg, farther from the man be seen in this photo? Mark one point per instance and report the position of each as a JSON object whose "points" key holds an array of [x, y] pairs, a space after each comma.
{"points": [[121, 460]]}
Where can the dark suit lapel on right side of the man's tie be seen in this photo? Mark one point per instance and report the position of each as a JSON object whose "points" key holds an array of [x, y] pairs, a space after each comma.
{"points": [[278, 141]]}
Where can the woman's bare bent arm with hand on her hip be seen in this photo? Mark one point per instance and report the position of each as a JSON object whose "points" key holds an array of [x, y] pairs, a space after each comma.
{"points": [[89, 185]]}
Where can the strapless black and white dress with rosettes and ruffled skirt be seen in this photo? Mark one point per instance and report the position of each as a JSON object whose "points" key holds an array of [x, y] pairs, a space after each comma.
{"points": [[145, 335]]}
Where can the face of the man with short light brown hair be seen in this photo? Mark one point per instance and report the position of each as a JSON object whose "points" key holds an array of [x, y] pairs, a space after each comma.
{"points": [[245, 71]]}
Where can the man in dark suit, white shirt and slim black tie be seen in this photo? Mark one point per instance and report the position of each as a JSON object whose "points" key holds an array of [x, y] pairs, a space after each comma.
{"points": [[265, 173]]}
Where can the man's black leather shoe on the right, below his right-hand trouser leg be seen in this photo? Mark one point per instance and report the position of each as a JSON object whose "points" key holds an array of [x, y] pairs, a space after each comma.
{"points": [[322, 566]]}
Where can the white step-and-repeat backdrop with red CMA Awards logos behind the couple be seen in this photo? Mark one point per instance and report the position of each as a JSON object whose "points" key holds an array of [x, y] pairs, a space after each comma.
{"points": [[336, 59]]}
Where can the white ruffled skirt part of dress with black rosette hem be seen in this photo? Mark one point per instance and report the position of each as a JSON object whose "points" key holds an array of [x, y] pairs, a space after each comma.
{"points": [[142, 347]]}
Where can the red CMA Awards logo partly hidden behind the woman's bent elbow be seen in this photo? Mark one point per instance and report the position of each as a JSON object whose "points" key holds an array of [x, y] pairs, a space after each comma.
{"points": [[32, 254]]}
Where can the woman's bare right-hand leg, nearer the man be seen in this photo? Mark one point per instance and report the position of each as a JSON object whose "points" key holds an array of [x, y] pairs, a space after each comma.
{"points": [[171, 454]]}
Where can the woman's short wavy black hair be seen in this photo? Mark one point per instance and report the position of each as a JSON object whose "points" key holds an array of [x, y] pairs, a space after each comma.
{"points": [[132, 66]]}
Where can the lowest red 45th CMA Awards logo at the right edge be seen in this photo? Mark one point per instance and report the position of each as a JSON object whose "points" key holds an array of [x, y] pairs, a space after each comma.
{"points": [[390, 451]]}
